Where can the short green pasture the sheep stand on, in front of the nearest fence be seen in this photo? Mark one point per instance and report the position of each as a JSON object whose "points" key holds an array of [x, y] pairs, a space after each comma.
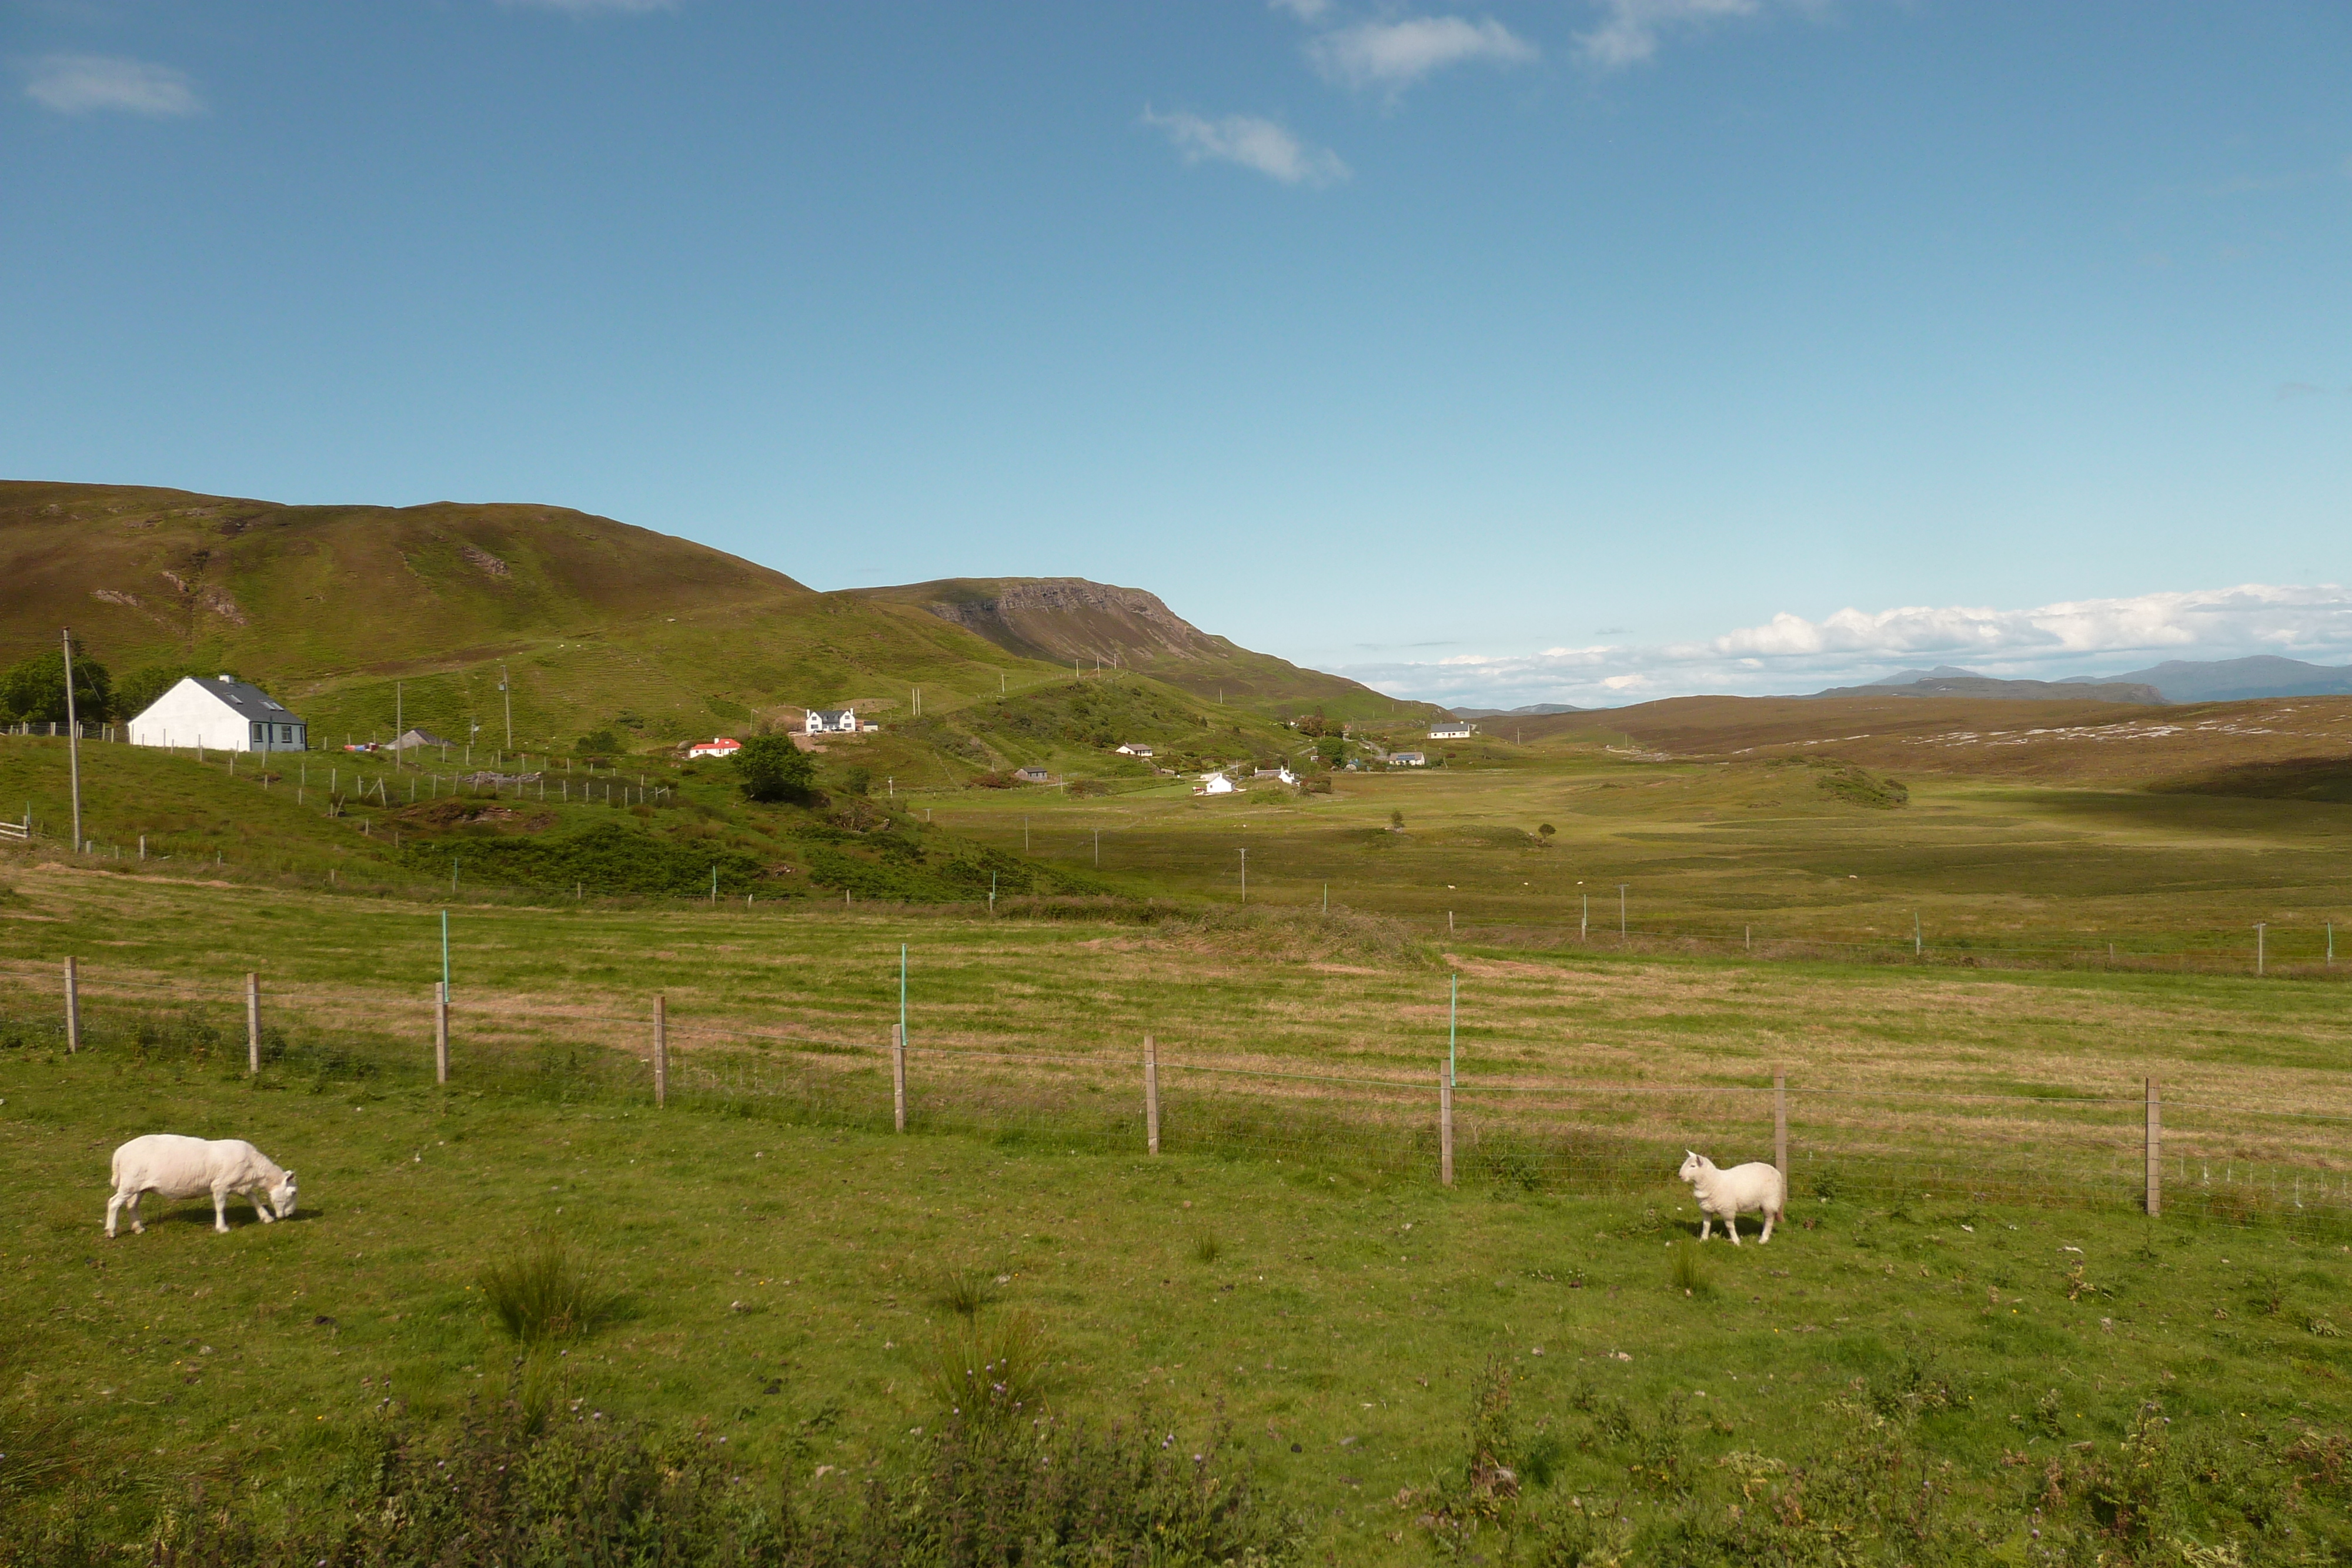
{"points": [[782, 1289]]}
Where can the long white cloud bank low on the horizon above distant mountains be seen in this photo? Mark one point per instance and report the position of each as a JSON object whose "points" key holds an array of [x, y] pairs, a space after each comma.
{"points": [[1850, 648]]}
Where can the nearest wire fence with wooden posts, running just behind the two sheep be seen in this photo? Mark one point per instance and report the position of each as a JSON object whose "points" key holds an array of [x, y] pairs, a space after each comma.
{"points": [[2205, 1160]]}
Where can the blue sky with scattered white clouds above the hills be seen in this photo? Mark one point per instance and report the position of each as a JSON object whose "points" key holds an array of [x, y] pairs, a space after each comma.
{"points": [[1544, 351]]}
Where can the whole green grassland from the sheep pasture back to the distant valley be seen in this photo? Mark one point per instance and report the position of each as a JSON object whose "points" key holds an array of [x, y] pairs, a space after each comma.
{"points": [[784, 1268]]}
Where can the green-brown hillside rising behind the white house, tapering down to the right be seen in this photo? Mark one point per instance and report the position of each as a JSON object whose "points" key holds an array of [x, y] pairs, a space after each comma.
{"points": [[368, 617]]}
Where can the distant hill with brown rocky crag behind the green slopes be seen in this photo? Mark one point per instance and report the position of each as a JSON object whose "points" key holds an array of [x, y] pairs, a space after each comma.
{"points": [[1076, 622]]}
